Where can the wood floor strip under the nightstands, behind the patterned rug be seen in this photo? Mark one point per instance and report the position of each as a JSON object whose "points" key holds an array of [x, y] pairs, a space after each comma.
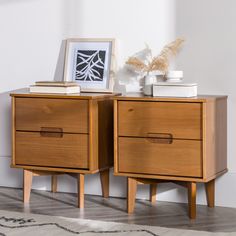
{"points": [[113, 209]]}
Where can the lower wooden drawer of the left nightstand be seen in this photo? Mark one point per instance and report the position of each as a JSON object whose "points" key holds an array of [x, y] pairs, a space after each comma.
{"points": [[55, 150]]}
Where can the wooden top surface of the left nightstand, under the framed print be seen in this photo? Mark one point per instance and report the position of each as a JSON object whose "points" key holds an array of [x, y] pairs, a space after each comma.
{"points": [[25, 93]]}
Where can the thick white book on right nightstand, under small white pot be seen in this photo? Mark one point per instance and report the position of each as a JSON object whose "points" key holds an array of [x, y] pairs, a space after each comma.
{"points": [[165, 89]]}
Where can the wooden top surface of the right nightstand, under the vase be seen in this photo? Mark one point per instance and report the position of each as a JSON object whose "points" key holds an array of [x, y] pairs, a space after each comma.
{"points": [[142, 97]]}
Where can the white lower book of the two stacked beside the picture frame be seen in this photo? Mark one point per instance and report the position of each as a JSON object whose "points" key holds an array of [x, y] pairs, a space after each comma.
{"points": [[54, 89]]}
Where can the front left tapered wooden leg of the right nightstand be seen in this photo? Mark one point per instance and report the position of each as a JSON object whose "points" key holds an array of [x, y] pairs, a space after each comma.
{"points": [[131, 192]]}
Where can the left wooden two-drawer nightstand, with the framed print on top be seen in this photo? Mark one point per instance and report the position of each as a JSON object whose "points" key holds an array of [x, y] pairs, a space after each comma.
{"points": [[62, 134]]}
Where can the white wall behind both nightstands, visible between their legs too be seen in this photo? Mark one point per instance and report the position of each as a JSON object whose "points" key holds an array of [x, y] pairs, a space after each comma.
{"points": [[208, 58]]}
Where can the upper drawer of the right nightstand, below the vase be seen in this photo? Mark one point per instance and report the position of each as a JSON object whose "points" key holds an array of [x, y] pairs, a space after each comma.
{"points": [[141, 119]]}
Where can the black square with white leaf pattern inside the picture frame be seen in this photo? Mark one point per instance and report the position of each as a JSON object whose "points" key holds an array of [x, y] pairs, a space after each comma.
{"points": [[90, 65]]}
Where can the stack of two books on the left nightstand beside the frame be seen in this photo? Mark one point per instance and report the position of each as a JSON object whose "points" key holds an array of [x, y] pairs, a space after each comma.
{"points": [[60, 87]]}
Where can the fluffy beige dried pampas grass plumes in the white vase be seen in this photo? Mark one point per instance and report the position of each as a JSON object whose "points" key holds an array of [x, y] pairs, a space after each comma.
{"points": [[160, 62]]}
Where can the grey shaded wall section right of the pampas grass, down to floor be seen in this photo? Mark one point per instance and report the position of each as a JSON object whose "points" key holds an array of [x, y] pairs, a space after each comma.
{"points": [[209, 59]]}
